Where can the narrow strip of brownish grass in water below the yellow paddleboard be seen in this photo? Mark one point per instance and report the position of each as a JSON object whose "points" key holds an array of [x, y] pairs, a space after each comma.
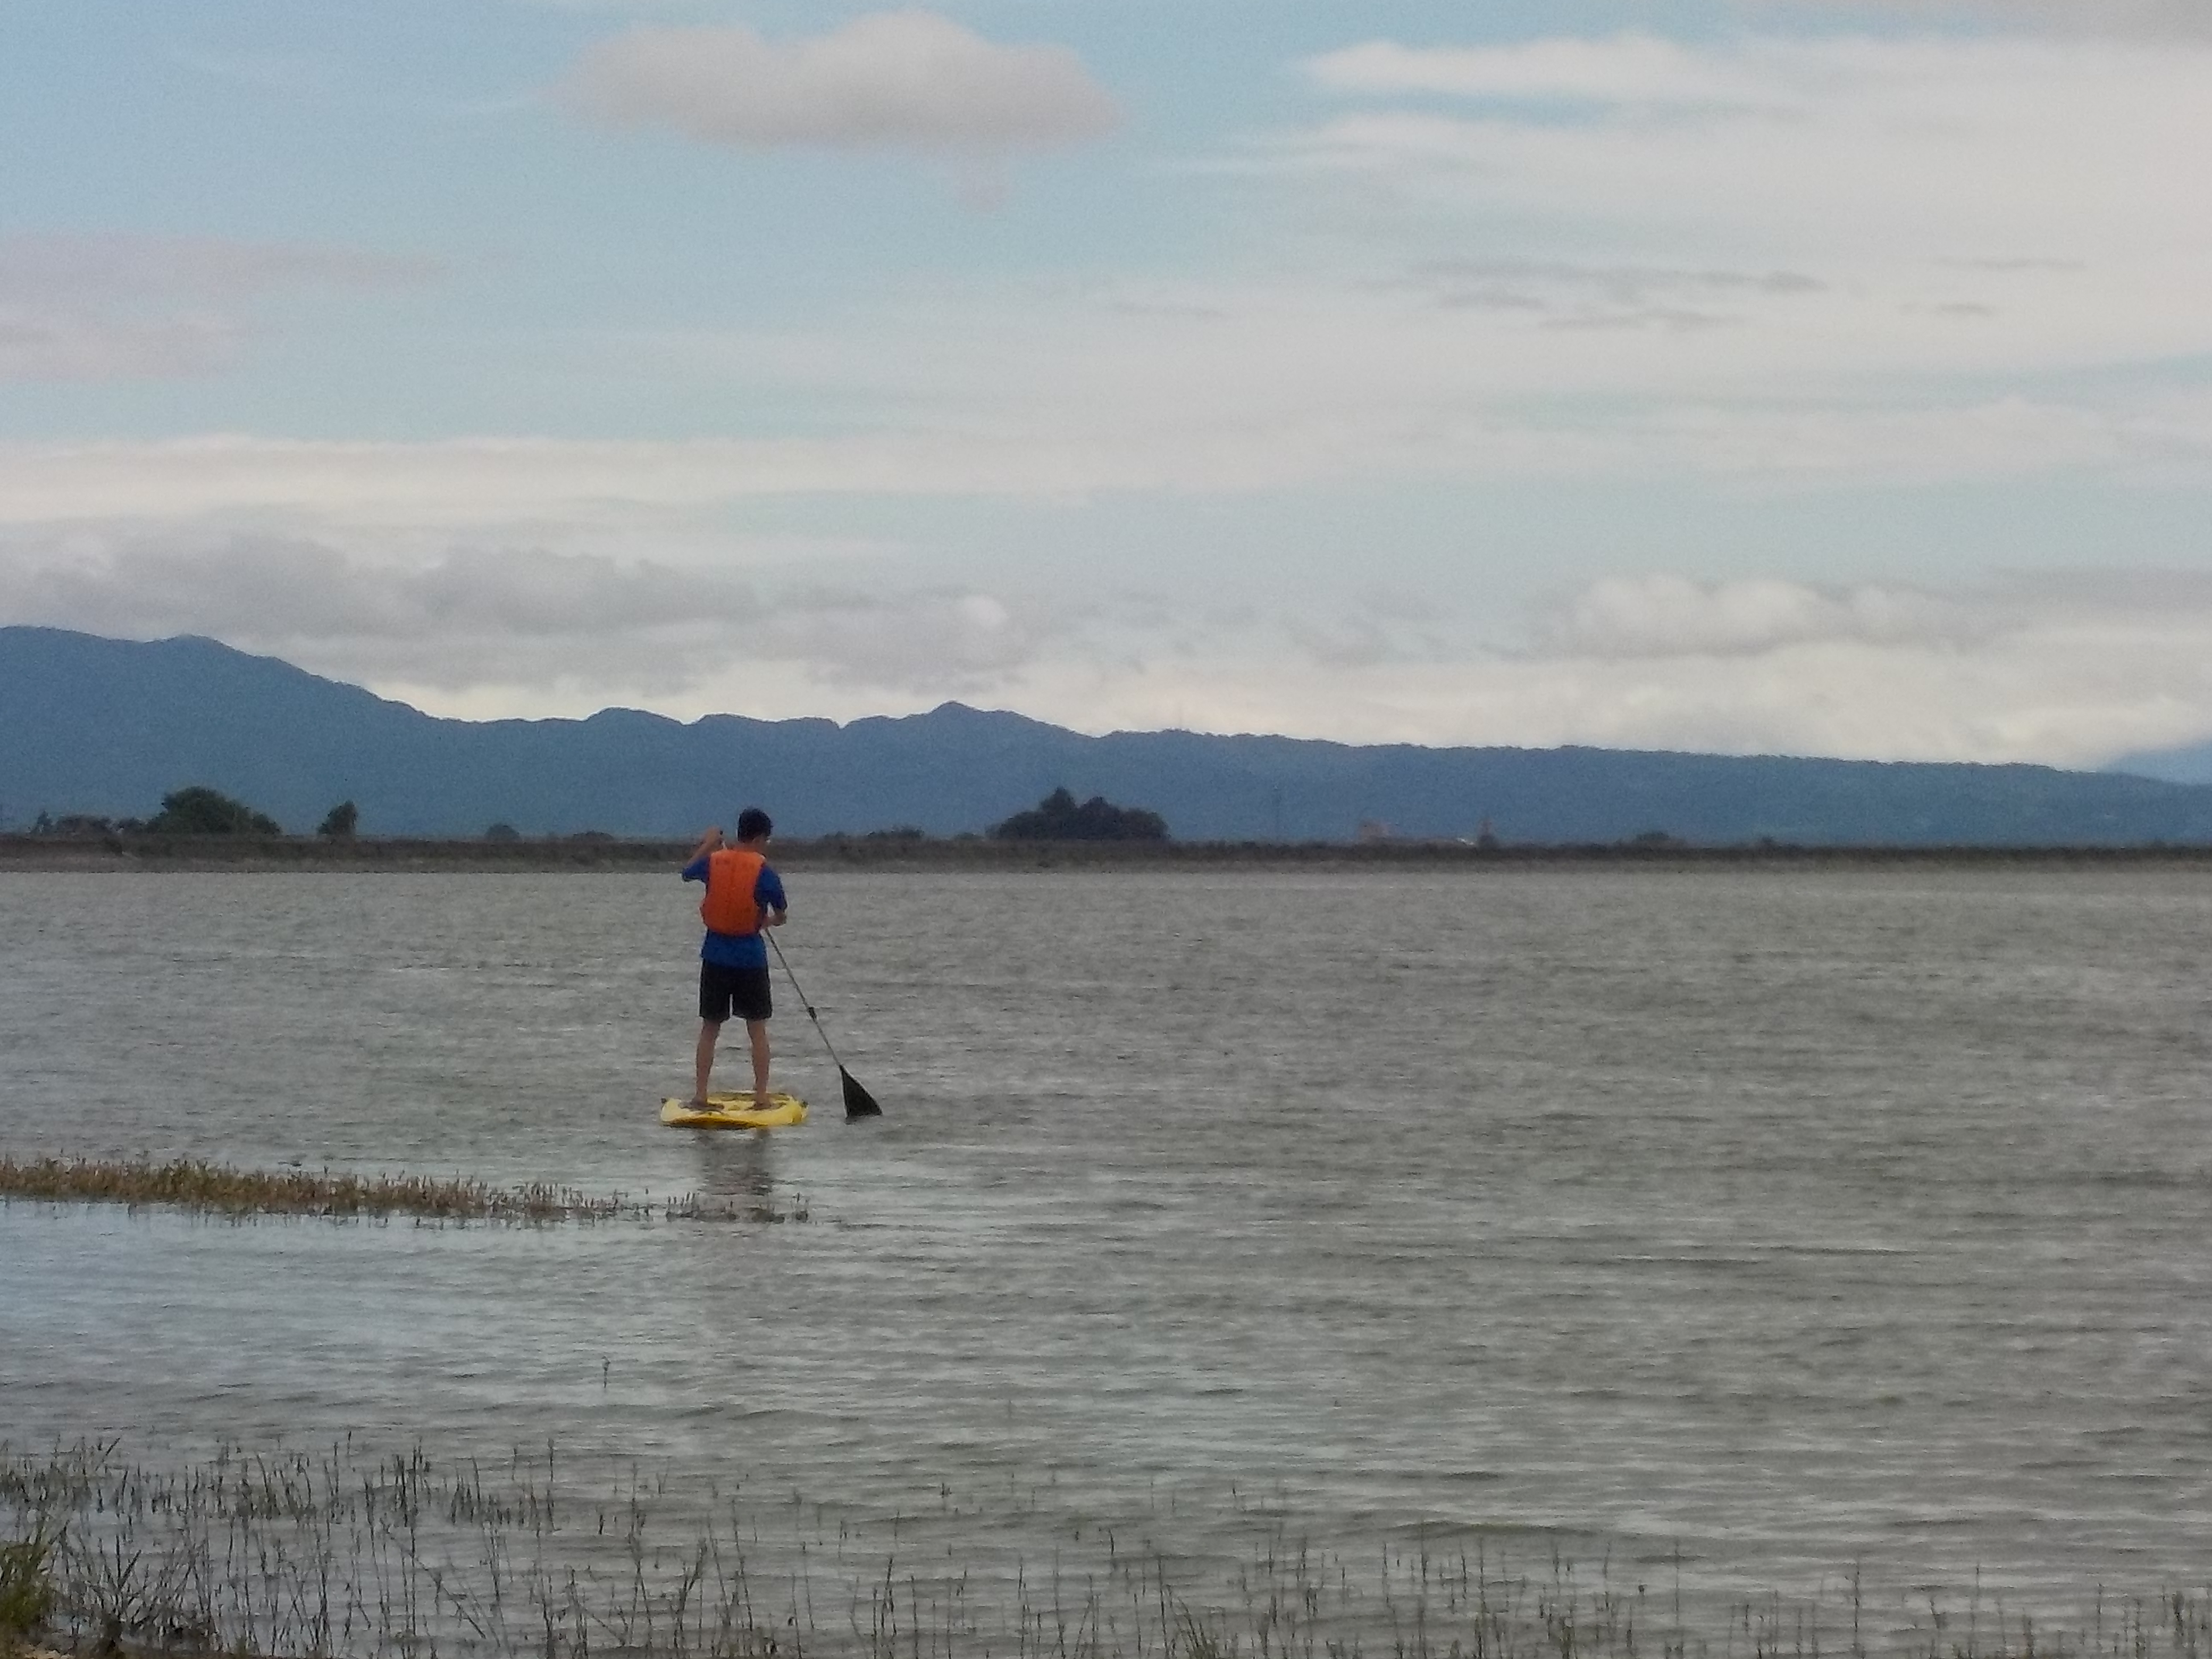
{"points": [[225, 1191]]}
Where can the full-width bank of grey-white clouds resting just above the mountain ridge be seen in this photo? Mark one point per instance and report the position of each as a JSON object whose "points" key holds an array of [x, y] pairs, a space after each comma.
{"points": [[2060, 669]]}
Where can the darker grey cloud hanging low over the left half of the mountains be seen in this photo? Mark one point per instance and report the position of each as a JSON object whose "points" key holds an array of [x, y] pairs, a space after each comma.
{"points": [[472, 623]]}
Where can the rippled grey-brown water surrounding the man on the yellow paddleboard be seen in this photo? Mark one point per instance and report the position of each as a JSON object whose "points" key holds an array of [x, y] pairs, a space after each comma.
{"points": [[1775, 1222]]}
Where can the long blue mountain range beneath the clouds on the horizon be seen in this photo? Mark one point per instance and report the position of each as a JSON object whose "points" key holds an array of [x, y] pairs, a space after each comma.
{"points": [[109, 727]]}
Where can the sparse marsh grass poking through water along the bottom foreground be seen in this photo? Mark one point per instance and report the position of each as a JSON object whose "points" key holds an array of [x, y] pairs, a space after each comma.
{"points": [[404, 1556]]}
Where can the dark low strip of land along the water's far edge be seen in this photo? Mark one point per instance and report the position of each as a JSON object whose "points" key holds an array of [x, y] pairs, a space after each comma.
{"points": [[585, 855]]}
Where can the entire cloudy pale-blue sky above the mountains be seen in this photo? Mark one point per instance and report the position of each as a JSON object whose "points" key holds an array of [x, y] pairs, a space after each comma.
{"points": [[1755, 377]]}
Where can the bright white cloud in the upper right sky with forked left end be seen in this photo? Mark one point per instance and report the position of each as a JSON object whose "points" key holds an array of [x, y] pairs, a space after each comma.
{"points": [[1857, 149]]}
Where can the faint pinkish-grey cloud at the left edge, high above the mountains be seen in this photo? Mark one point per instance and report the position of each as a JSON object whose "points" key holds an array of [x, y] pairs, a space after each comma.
{"points": [[121, 309]]}
